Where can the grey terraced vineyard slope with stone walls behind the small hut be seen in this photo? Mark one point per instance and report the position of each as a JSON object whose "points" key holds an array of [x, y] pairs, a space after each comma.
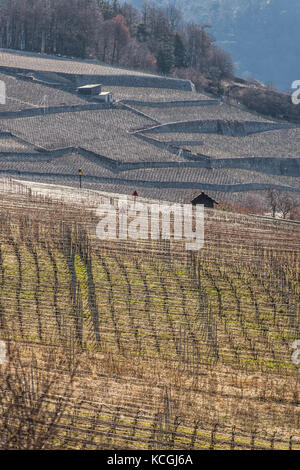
{"points": [[159, 136]]}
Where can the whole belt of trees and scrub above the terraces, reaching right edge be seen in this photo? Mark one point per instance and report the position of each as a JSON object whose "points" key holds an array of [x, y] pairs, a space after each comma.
{"points": [[154, 38]]}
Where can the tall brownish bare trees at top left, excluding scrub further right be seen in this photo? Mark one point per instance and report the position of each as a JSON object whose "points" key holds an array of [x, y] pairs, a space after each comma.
{"points": [[153, 38]]}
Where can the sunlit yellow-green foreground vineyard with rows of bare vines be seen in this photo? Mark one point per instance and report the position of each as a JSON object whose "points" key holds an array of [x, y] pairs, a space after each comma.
{"points": [[142, 344]]}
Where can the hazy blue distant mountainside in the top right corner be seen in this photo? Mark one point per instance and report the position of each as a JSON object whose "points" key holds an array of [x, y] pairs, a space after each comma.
{"points": [[262, 35]]}
